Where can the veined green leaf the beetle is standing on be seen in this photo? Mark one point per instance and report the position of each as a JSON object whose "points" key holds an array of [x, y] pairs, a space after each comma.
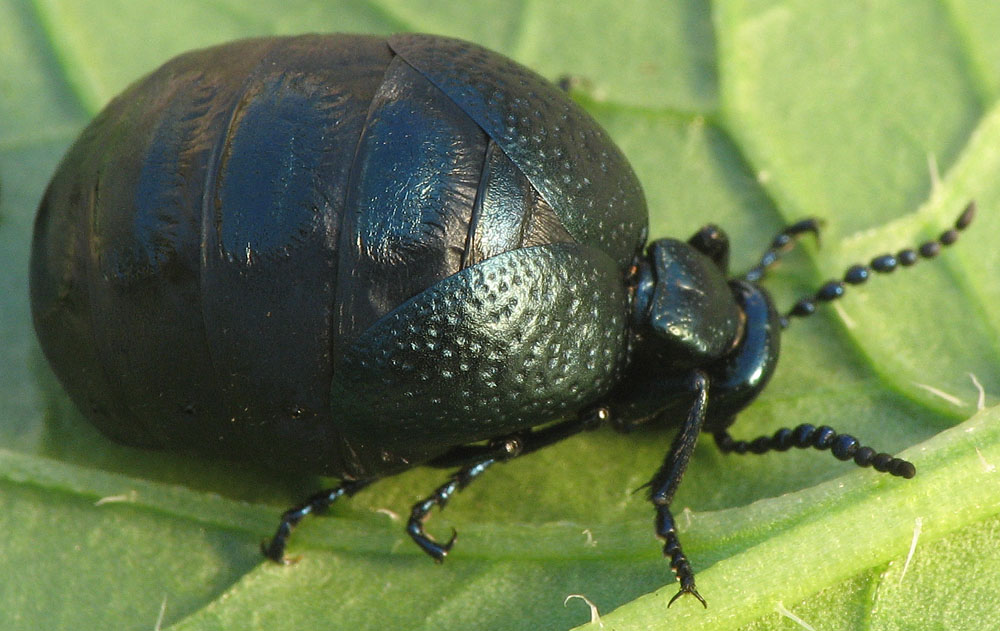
{"points": [[879, 116]]}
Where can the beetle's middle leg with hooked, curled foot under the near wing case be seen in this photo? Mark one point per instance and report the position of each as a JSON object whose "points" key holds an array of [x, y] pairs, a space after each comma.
{"points": [[475, 459]]}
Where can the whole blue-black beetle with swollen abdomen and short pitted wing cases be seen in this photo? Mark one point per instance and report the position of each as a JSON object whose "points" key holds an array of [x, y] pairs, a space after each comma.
{"points": [[352, 255]]}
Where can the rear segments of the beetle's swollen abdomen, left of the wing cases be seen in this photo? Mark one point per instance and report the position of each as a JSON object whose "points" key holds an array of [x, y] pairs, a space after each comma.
{"points": [[185, 252]]}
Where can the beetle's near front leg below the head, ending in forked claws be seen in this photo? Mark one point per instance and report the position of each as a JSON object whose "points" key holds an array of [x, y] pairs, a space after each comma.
{"points": [[664, 484]]}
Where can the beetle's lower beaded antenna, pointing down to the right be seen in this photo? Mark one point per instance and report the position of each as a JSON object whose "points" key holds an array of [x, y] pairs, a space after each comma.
{"points": [[843, 447]]}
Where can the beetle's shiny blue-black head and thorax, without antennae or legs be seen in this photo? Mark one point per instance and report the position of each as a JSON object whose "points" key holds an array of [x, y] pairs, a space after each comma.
{"points": [[687, 315]]}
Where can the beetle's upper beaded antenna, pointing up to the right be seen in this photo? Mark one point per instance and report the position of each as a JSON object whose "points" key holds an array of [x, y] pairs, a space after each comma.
{"points": [[883, 264]]}
